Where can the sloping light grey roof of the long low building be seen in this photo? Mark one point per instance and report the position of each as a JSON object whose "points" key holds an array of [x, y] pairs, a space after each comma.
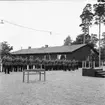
{"points": [[56, 49]]}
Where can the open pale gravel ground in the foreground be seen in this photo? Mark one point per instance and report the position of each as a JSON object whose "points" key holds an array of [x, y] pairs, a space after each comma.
{"points": [[60, 88]]}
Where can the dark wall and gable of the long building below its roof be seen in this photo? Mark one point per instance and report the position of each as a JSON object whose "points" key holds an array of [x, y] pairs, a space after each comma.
{"points": [[80, 54]]}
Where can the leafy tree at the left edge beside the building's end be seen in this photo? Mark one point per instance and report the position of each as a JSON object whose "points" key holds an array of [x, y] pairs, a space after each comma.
{"points": [[5, 49]]}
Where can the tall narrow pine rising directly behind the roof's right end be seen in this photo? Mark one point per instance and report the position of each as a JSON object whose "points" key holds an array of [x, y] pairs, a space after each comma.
{"points": [[86, 17]]}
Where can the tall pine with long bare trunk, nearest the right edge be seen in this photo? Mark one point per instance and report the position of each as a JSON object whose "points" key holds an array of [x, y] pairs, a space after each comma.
{"points": [[99, 12]]}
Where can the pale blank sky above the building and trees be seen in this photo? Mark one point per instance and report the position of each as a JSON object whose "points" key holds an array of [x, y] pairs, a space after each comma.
{"points": [[60, 17]]}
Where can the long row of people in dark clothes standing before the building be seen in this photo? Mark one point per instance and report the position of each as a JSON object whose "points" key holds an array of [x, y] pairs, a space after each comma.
{"points": [[48, 65]]}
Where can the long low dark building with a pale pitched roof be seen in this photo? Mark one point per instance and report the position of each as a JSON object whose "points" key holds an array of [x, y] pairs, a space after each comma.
{"points": [[78, 52]]}
